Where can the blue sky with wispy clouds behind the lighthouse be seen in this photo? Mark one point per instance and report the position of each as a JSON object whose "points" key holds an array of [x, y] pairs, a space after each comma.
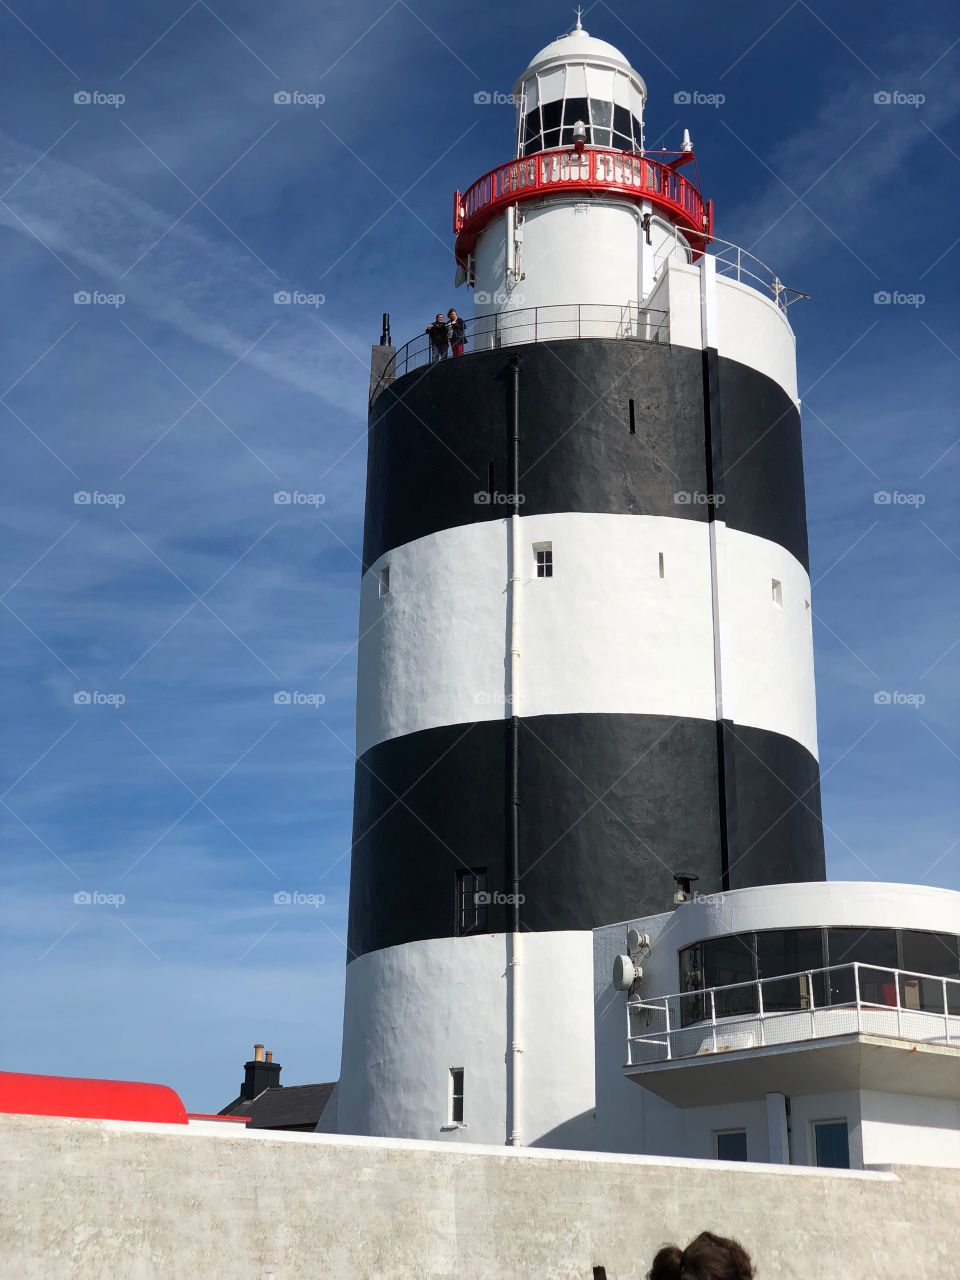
{"points": [[157, 598]]}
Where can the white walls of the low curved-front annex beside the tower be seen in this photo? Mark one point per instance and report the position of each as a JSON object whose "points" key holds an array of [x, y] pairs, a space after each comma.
{"points": [[629, 1118]]}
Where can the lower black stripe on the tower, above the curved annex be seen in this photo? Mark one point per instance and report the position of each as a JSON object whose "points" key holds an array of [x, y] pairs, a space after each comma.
{"points": [[612, 807]]}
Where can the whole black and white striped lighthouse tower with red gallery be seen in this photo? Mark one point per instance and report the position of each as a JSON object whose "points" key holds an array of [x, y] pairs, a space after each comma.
{"points": [[586, 656]]}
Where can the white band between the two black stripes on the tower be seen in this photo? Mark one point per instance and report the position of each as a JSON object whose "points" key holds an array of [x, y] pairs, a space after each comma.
{"points": [[606, 634]]}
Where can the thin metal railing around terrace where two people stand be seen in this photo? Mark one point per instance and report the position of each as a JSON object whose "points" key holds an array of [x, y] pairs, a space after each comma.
{"points": [[534, 324]]}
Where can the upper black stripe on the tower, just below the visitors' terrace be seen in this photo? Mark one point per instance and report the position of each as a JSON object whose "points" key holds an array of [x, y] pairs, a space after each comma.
{"points": [[440, 438]]}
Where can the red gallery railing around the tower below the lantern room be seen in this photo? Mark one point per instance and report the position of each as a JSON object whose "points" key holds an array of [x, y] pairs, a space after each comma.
{"points": [[592, 171]]}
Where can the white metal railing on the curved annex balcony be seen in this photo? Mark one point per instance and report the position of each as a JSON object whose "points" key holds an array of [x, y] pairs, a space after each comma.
{"points": [[816, 1004]]}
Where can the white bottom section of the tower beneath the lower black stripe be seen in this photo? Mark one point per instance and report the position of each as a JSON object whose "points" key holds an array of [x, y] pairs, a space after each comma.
{"points": [[417, 1011]]}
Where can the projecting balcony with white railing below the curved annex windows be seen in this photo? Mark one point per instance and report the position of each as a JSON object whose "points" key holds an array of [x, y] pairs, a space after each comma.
{"points": [[849, 1027]]}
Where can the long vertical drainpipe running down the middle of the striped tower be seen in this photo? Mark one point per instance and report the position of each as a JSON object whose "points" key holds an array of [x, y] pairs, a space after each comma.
{"points": [[514, 973]]}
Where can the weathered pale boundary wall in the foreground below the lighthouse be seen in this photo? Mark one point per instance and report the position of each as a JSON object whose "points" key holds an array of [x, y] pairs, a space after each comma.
{"points": [[139, 1203]]}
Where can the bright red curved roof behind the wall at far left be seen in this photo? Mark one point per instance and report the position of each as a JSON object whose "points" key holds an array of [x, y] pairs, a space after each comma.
{"points": [[89, 1100]]}
